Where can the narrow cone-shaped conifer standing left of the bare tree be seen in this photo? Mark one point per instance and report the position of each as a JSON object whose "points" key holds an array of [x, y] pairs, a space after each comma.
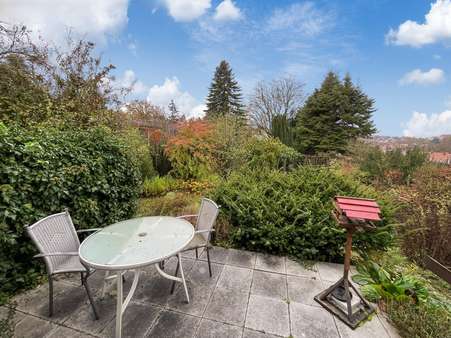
{"points": [[224, 96]]}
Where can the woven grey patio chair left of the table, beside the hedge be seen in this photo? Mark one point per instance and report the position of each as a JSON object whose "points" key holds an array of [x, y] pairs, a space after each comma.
{"points": [[57, 241]]}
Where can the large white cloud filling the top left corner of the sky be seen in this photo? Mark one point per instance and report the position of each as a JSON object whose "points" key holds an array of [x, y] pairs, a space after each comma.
{"points": [[53, 20]]}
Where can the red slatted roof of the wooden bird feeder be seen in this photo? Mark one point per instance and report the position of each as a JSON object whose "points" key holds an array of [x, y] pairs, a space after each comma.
{"points": [[358, 208]]}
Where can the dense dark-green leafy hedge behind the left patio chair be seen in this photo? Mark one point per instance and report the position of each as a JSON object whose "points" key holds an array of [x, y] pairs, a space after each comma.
{"points": [[93, 173]]}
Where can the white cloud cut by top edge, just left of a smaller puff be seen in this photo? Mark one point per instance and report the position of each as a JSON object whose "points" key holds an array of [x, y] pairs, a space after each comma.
{"points": [[186, 10]]}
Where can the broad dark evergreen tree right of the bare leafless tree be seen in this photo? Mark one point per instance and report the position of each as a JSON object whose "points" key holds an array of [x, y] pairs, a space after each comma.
{"points": [[333, 115]]}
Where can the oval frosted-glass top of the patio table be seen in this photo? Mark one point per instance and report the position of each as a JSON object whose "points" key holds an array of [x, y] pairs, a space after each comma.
{"points": [[136, 242]]}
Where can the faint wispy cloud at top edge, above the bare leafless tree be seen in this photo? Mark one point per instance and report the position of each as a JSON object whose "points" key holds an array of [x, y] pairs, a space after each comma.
{"points": [[304, 18]]}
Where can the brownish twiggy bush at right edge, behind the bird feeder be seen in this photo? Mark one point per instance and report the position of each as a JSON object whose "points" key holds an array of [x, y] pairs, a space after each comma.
{"points": [[426, 215]]}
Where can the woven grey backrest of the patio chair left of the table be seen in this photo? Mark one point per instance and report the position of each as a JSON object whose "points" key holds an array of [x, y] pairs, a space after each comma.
{"points": [[54, 233]]}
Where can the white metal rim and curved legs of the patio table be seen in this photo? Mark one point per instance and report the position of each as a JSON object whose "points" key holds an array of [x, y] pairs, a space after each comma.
{"points": [[121, 304]]}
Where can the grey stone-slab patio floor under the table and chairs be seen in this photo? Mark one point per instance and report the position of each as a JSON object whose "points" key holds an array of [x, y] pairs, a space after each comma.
{"points": [[250, 296]]}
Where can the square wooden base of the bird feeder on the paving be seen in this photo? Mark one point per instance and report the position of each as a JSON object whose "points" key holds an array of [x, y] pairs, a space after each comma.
{"points": [[352, 314]]}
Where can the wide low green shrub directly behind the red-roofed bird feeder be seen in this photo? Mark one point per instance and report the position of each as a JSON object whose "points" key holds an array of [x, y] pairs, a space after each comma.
{"points": [[290, 213]]}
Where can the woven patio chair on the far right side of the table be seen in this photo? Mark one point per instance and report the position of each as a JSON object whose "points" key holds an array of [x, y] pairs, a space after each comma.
{"points": [[205, 220]]}
